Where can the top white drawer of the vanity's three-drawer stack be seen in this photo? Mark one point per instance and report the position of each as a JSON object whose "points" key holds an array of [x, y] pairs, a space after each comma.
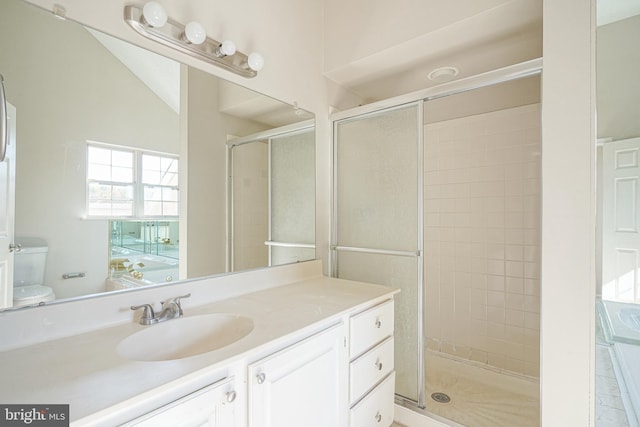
{"points": [[370, 327]]}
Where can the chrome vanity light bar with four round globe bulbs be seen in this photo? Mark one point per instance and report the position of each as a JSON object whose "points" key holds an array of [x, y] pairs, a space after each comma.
{"points": [[152, 22]]}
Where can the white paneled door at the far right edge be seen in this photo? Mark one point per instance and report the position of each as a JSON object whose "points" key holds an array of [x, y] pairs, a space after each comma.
{"points": [[621, 220]]}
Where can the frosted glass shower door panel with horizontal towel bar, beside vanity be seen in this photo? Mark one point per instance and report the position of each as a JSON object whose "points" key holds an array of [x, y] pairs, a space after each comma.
{"points": [[377, 222]]}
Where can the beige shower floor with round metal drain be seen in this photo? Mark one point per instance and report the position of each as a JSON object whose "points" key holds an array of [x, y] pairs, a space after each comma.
{"points": [[480, 397]]}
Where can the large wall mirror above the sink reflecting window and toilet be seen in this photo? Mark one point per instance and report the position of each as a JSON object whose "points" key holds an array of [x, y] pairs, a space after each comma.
{"points": [[75, 88]]}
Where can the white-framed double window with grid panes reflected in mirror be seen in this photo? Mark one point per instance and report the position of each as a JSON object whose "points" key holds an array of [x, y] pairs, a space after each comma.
{"points": [[130, 183]]}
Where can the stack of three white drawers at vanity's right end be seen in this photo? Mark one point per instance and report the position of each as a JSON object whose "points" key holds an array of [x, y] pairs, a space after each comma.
{"points": [[371, 366]]}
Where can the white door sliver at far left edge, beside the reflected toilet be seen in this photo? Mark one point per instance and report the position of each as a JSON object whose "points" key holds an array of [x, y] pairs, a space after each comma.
{"points": [[7, 211]]}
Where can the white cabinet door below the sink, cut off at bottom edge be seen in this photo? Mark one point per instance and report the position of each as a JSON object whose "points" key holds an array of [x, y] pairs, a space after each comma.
{"points": [[212, 406]]}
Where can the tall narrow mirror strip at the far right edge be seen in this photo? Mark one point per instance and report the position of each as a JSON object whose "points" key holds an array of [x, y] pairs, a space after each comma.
{"points": [[617, 349]]}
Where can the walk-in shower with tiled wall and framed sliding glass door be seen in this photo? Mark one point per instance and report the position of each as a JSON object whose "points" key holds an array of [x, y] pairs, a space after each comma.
{"points": [[438, 193]]}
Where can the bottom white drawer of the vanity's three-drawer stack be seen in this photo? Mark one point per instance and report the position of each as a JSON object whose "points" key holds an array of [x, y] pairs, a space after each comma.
{"points": [[376, 409]]}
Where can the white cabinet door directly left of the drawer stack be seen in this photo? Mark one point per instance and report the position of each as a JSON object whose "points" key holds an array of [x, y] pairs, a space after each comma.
{"points": [[302, 385]]}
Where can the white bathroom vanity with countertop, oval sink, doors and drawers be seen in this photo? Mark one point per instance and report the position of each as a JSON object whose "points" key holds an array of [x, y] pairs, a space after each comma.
{"points": [[295, 348]]}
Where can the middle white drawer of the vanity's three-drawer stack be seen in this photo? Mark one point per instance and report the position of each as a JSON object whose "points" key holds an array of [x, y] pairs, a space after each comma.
{"points": [[370, 368]]}
